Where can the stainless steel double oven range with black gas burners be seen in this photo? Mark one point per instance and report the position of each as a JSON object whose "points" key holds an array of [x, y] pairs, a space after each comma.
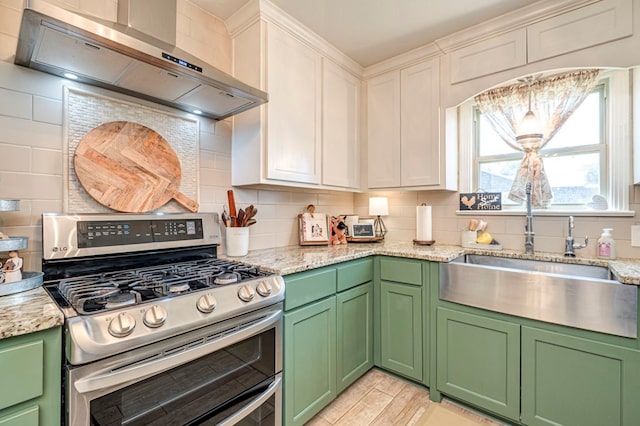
{"points": [[158, 329]]}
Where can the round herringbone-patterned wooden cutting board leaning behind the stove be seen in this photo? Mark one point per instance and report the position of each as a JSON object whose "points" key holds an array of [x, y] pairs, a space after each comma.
{"points": [[130, 168]]}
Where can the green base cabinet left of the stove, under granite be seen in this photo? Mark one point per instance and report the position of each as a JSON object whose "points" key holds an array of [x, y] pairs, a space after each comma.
{"points": [[30, 372]]}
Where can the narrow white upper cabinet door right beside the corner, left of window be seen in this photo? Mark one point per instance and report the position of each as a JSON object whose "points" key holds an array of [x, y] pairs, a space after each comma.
{"points": [[383, 127]]}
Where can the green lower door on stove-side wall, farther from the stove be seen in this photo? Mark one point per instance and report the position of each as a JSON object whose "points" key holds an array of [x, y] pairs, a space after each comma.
{"points": [[355, 334]]}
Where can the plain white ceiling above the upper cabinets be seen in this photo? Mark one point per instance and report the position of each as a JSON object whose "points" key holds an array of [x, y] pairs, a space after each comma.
{"points": [[369, 31]]}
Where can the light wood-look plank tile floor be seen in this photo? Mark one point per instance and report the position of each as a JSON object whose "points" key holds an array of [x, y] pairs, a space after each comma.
{"points": [[378, 398]]}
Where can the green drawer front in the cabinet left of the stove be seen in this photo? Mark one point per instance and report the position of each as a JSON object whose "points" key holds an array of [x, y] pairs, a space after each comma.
{"points": [[21, 369]]}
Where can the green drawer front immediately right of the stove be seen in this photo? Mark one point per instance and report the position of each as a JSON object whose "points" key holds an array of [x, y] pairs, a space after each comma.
{"points": [[309, 286]]}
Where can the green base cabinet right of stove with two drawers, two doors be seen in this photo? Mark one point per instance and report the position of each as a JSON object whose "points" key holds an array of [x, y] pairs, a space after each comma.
{"points": [[328, 335]]}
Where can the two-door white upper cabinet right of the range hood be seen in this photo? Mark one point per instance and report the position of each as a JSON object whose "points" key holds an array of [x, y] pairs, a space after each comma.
{"points": [[307, 135]]}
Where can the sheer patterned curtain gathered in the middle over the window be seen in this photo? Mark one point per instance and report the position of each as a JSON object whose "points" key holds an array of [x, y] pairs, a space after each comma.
{"points": [[552, 100]]}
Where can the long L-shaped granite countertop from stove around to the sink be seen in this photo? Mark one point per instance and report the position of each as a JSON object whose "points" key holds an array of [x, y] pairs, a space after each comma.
{"points": [[292, 259]]}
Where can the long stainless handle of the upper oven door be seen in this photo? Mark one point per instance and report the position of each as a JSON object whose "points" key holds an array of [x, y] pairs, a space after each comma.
{"points": [[107, 378]]}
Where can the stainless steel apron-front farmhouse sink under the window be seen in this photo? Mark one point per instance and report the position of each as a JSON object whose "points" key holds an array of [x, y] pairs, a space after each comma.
{"points": [[581, 296]]}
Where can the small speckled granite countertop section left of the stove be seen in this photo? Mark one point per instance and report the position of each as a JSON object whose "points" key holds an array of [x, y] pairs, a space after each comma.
{"points": [[28, 312]]}
